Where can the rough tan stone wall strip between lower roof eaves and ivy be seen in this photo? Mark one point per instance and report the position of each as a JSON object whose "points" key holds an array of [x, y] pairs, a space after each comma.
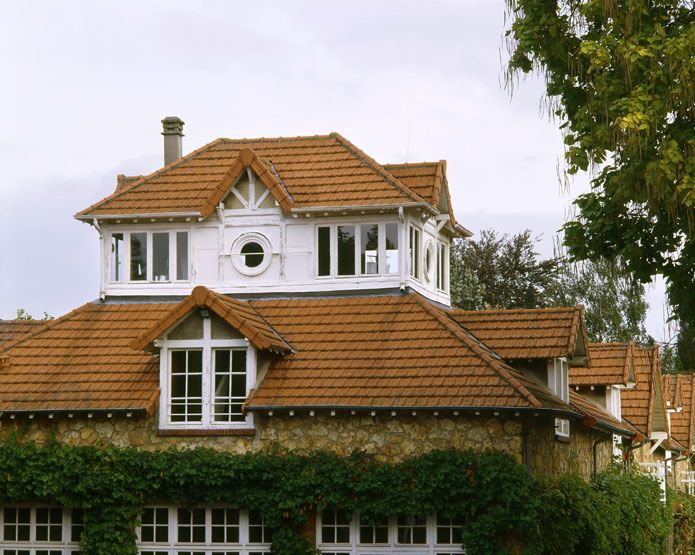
{"points": [[389, 438]]}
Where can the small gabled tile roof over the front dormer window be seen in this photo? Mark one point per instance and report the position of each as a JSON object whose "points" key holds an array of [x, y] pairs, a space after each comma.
{"points": [[239, 315]]}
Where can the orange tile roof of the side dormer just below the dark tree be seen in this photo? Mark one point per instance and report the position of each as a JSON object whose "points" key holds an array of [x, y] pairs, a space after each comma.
{"points": [[528, 333]]}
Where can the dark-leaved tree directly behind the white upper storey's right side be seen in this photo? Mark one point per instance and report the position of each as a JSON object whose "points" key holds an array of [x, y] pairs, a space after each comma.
{"points": [[500, 272]]}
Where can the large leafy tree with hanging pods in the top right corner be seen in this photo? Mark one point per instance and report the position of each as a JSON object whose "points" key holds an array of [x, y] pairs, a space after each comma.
{"points": [[620, 78]]}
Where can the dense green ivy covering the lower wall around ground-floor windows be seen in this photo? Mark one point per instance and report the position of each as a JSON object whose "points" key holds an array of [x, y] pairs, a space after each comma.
{"points": [[503, 510]]}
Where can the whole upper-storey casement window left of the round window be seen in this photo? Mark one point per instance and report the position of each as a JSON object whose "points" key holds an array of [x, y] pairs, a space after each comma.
{"points": [[149, 256]]}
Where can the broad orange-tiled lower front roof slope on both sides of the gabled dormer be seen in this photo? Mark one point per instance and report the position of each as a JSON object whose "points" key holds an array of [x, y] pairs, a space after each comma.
{"points": [[382, 352]]}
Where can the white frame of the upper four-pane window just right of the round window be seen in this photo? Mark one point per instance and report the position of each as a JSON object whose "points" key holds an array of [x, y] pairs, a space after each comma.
{"points": [[333, 240]]}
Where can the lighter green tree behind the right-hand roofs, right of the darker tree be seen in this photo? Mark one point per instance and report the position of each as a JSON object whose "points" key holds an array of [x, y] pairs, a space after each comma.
{"points": [[615, 304]]}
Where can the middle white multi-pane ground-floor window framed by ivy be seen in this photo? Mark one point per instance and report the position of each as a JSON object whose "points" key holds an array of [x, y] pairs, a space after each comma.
{"points": [[166, 530]]}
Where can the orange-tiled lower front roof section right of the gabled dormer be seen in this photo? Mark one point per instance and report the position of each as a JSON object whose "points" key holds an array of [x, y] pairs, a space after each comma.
{"points": [[385, 352]]}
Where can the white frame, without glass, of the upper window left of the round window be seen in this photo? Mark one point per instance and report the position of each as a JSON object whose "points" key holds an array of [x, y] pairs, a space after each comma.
{"points": [[150, 254]]}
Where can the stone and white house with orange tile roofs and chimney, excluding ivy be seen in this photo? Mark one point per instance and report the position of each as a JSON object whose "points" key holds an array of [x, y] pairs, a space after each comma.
{"points": [[292, 293]]}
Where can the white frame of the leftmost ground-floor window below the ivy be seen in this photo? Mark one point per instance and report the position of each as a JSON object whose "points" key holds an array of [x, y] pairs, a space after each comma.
{"points": [[65, 546]]}
